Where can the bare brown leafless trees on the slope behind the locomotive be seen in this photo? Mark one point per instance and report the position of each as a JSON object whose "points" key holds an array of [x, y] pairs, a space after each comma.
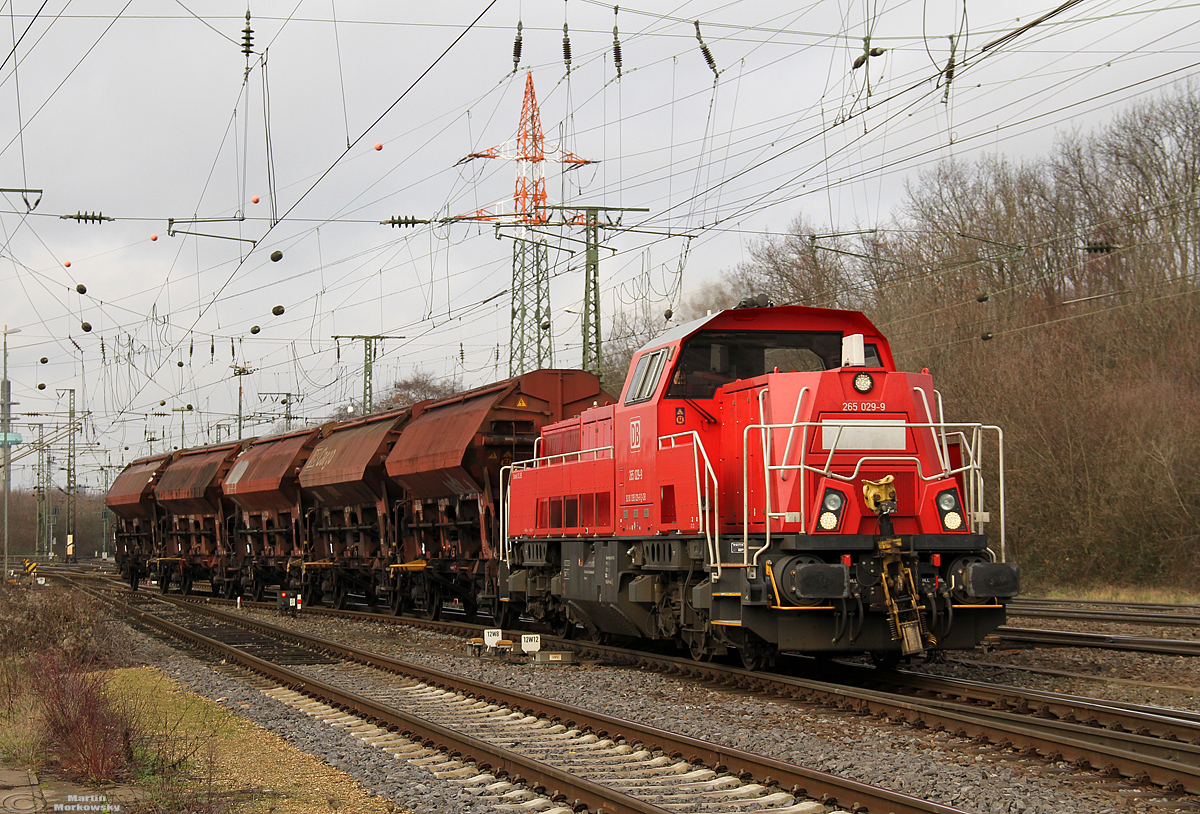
{"points": [[1055, 297]]}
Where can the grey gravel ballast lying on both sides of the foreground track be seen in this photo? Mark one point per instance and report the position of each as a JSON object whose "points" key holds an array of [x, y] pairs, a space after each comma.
{"points": [[931, 765]]}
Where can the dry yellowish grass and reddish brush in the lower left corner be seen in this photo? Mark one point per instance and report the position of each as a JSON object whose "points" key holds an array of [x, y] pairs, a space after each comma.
{"points": [[68, 709]]}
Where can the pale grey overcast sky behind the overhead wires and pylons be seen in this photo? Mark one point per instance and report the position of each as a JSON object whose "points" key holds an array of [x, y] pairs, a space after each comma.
{"points": [[149, 111]]}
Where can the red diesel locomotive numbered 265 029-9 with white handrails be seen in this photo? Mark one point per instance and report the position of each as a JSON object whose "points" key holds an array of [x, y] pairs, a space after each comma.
{"points": [[767, 482]]}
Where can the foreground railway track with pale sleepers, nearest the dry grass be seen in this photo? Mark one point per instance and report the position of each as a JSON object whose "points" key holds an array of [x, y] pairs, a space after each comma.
{"points": [[509, 746]]}
